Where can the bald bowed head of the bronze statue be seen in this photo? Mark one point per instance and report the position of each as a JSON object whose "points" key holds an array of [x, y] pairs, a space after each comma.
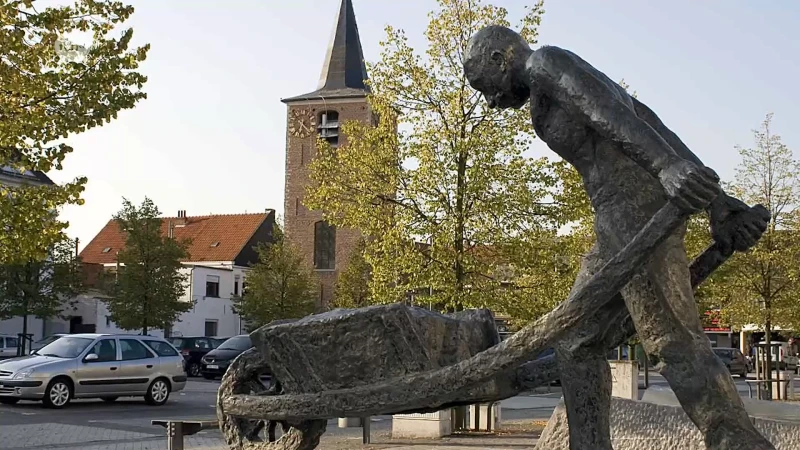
{"points": [[495, 65]]}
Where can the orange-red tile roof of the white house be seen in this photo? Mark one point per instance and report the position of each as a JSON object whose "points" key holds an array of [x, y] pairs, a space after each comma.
{"points": [[231, 232]]}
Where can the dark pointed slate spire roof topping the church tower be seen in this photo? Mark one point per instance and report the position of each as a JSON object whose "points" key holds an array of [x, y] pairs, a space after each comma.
{"points": [[344, 71]]}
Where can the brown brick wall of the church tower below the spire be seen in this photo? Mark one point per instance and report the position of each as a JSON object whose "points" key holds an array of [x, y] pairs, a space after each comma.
{"points": [[298, 220]]}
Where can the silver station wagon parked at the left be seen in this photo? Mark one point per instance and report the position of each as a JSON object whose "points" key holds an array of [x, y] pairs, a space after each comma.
{"points": [[94, 366]]}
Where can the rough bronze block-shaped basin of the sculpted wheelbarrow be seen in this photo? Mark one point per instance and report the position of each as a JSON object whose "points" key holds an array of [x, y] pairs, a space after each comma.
{"points": [[346, 348]]}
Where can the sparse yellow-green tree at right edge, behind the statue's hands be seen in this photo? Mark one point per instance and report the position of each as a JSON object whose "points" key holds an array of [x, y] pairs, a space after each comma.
{"points": [[762, 286]]}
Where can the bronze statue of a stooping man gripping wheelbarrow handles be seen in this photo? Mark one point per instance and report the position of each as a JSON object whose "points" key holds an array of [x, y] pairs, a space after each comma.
{"points": [[631, 165]]}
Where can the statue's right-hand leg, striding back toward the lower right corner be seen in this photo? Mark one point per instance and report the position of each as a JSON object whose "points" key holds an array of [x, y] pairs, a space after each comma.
{"points": [[663, 309]]}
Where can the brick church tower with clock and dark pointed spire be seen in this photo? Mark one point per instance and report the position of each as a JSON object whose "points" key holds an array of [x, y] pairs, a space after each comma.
{"points": [[340, 96]]}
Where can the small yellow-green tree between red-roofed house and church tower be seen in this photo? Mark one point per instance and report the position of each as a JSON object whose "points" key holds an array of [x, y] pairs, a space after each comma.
{"points": [[279, 285]]}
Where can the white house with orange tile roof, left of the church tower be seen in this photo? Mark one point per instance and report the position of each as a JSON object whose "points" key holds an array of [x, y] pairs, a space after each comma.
{"points": [[221, 253]]}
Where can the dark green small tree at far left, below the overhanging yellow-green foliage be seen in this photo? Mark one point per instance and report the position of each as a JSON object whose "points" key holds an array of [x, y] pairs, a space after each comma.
{"points": [[40, 288]]}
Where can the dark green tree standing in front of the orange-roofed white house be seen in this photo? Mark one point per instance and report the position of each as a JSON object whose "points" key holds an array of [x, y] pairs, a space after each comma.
{"points": [[148, 290]]}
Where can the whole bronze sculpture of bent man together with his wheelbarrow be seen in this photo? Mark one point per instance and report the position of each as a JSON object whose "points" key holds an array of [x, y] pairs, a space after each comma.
{"points": [[633, 167]]}
